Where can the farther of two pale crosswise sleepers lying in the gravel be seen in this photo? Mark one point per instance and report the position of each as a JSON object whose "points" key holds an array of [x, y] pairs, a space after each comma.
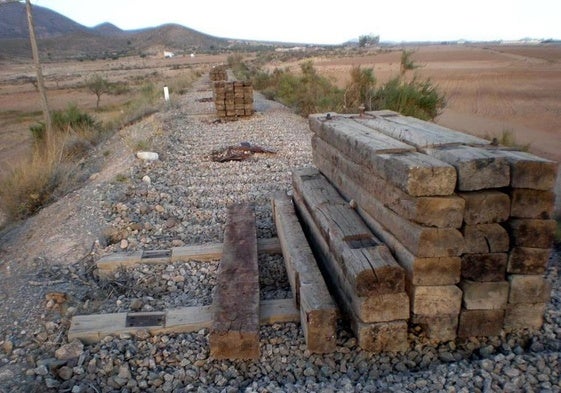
{"points": [[201, 253]]}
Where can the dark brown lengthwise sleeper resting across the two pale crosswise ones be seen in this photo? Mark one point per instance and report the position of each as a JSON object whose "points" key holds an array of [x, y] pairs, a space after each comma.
{"points": [[235, 305]]}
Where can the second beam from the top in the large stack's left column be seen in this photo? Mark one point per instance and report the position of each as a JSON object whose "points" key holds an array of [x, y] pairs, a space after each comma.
{"points": [[443, 211]]}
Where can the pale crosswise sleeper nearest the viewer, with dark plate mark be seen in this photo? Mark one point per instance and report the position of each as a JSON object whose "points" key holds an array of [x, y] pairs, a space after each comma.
{"points": [[93, 328]]}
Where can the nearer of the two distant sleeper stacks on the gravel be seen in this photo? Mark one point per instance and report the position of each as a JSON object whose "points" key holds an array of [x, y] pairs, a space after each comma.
{"points": [[233, 99]]}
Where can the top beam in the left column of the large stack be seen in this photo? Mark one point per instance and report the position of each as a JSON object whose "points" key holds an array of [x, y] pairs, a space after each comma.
{"points": [[415, 173]]}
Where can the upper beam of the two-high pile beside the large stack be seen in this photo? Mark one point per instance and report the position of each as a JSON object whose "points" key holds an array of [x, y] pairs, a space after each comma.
{"points": [[363, 260]]}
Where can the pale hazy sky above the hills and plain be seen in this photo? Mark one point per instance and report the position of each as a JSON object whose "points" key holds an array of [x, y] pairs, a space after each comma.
{"points": [[327, 22]]}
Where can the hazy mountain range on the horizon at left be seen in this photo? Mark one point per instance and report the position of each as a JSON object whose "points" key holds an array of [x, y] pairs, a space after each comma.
{"points": [[61, 37]]}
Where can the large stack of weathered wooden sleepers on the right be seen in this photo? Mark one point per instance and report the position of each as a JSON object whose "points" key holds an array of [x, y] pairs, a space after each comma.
{"points": [[469, 222]]}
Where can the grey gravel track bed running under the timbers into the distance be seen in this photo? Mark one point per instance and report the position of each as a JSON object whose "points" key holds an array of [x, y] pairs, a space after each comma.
{"points": [[180, 200]]}
